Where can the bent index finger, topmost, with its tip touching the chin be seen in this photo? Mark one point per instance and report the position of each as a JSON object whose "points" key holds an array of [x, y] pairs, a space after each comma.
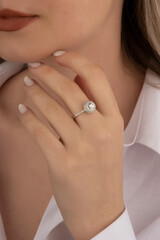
{"points": [[95, 80]]}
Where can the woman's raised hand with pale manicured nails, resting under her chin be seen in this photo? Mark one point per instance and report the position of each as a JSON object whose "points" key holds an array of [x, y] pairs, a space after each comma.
{"points": [[85, 166]]}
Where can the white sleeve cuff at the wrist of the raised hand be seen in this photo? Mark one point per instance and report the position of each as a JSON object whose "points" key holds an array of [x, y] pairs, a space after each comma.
{"points": [[121, 228]]}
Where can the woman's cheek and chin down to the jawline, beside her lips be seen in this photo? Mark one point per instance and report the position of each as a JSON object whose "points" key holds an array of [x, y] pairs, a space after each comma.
{"points": [[64, 24]]}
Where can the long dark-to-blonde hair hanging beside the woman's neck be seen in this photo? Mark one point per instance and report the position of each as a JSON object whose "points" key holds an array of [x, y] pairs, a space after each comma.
{"points": [[140, 34]]}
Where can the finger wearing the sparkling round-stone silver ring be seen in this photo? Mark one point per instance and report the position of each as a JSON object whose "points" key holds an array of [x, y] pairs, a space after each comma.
{"points": [[68, 90]]}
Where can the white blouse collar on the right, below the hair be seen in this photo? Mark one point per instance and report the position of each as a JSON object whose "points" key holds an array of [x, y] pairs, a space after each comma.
{"points": [[144, 125]]}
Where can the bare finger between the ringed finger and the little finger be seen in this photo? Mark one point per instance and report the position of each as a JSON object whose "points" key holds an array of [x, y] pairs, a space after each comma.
{"points": [[64, 125]]}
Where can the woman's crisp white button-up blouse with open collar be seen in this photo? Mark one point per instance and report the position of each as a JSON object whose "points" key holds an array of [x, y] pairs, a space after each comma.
{"points": [[141, 173]]}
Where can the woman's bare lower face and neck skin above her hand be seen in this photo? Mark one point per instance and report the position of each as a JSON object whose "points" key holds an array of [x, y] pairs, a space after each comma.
{"points": [[98, 39]]}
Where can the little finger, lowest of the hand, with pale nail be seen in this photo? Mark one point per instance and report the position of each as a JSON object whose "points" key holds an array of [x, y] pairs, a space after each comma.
{"points": [[51, 147]]}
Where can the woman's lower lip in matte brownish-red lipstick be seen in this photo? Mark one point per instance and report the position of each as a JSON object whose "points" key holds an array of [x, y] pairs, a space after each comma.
{"points": [[9, 24]]}
